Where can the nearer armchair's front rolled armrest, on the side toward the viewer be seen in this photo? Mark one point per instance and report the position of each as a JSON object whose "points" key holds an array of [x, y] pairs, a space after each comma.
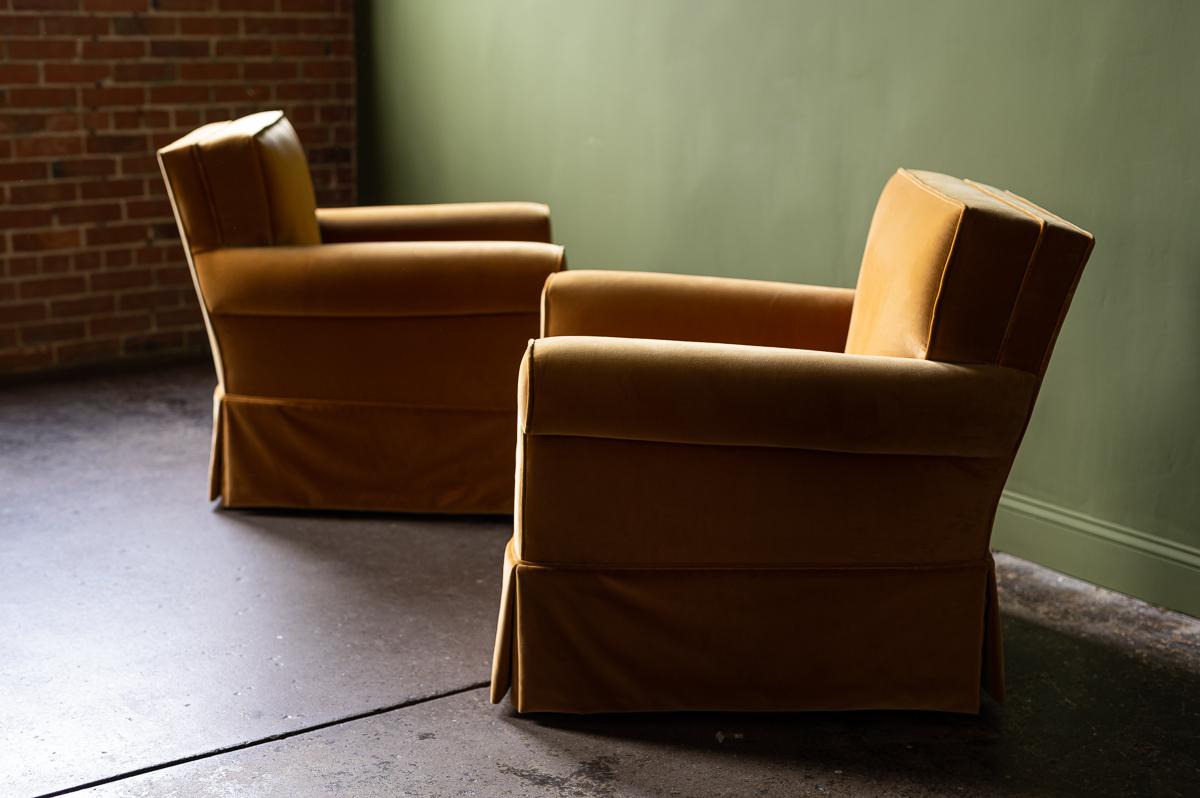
{"points": [[713, 394]]}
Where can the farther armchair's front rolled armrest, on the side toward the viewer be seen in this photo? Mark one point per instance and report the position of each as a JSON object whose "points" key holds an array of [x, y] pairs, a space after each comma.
{"points": [[381, 280]]}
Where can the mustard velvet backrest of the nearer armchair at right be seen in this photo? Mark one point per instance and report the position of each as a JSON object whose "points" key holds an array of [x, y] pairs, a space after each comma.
{"points": [[961, 272]]}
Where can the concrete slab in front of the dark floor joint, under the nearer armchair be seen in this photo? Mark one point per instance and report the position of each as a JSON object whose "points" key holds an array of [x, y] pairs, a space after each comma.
{"points": [[1105, 701]]}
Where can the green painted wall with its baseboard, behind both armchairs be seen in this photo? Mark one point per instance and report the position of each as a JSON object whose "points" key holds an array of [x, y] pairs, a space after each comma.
{"points": [[752, 139]]}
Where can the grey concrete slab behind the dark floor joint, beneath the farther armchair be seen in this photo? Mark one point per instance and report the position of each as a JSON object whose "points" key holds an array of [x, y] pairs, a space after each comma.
{"points": [[141, 625]]}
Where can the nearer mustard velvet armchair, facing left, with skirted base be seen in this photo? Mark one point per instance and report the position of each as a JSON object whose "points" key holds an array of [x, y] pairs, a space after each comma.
{"points": [[753, 496]]}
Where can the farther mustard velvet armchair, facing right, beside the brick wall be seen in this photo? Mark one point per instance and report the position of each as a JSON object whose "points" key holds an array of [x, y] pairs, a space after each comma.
{"points": [[367, 358]]}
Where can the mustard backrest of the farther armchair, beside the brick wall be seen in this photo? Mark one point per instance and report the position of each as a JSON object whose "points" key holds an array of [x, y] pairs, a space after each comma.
{"points": [[243, 183]]}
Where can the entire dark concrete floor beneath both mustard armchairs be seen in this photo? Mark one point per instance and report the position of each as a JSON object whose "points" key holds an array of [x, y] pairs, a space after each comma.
{"points": [[153, 645]]}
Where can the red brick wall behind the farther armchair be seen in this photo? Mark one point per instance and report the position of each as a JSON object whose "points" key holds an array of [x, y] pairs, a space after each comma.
{"points": [[92, 269]]}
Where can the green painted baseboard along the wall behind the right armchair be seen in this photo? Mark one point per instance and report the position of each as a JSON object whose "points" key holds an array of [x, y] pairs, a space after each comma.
{"points": [[1151, 568]]}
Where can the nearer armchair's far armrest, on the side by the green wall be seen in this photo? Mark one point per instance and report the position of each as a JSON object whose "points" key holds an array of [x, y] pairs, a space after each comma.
{"points": [[685, 308]]}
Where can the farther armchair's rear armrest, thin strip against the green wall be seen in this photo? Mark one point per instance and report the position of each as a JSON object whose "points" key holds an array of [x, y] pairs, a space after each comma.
{"points": [[452, 223]]}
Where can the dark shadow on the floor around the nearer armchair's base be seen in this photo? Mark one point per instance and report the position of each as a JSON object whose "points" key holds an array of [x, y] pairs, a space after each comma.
{"points": [[1082, 719]]}
